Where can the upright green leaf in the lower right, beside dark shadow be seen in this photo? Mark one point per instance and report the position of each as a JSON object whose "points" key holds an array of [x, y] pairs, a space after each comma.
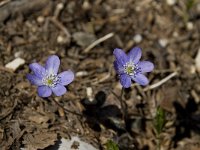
{"points": [[159, 120]]}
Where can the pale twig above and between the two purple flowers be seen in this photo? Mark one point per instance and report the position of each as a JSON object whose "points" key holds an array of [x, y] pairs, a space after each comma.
{"points": [[97, 42]]}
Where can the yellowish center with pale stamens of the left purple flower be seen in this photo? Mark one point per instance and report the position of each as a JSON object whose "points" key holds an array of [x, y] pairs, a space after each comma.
{"points": [[51, 80]]}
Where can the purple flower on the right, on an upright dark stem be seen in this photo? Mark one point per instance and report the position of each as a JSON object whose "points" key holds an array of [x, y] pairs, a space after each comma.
{"points": [[130, 68]]}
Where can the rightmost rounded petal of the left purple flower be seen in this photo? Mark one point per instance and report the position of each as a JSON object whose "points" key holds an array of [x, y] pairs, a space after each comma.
{"points": [[66, 77]]}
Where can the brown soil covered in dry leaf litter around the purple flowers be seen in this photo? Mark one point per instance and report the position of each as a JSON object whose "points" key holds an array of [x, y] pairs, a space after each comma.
{"points": [[167, 32]]}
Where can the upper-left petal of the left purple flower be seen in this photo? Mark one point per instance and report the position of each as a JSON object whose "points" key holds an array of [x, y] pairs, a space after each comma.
{"points": [[38, 70]]}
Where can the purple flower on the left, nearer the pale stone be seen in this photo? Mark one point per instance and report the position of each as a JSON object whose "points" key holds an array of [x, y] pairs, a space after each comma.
{"points": [[47, 78]]}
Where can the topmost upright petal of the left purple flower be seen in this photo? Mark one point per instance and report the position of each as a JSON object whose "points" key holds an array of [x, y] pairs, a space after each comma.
{"points": [[52, 64]]}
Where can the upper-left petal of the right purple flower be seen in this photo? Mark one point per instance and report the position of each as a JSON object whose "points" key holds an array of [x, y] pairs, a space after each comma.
{"points": [[120, 56]]}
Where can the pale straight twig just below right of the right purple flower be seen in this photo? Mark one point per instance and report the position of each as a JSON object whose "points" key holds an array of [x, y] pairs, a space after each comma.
{"points": [[153, 86]]}
